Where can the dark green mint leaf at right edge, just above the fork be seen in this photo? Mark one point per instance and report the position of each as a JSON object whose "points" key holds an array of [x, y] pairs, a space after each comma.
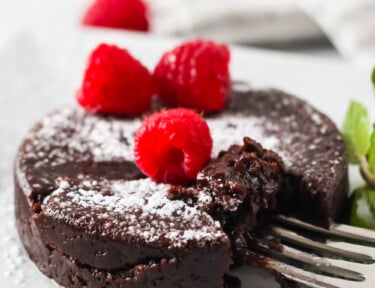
{"points": [[363, 208]]}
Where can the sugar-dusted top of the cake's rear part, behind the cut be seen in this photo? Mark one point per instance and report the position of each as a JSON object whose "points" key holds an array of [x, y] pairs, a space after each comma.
{"points": [[303, 137]]}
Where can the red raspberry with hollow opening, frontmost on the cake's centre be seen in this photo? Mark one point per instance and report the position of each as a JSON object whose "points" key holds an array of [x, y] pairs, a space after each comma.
{"points": [[172, 146]]}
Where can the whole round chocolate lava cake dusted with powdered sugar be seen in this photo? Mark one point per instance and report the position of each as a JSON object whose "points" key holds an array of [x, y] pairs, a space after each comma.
{"points": [[89, 218]]}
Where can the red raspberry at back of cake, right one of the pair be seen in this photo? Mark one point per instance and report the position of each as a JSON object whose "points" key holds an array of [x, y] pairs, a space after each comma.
{"points": [[195, 75]]}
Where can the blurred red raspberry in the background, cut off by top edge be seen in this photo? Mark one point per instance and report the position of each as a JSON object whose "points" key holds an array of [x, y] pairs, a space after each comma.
{"points": [[125, 14]]}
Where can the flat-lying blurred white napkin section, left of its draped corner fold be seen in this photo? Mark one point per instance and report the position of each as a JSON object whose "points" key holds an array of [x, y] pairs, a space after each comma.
{"points": [[249, 21]]}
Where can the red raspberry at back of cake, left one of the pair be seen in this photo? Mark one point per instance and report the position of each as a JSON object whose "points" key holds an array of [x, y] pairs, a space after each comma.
{"points": [[115, 83]]}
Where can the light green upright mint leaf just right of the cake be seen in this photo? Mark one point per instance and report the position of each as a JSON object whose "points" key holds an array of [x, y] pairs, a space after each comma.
{"points": [[356, 131]]}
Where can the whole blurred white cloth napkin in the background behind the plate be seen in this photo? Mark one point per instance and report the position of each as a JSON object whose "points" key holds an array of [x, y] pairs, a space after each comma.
{"points": [[349, 24]]}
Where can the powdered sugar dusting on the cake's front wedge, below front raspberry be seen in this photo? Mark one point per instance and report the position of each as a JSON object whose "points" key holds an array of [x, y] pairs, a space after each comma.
{"points": [[132, 209]]}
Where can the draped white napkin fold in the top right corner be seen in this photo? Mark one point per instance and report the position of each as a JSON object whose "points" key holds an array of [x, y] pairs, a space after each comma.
{"points": [[350, 24]]}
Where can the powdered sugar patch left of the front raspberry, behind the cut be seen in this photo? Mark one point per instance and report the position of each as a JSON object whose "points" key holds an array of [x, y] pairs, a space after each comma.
{"points": [[72, 135]]}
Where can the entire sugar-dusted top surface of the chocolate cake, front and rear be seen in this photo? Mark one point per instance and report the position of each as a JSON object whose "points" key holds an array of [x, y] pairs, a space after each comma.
{"points": [[70, 143]]}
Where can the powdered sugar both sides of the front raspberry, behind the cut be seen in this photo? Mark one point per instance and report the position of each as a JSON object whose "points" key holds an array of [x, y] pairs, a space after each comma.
{"points": [[72, 135]]}
